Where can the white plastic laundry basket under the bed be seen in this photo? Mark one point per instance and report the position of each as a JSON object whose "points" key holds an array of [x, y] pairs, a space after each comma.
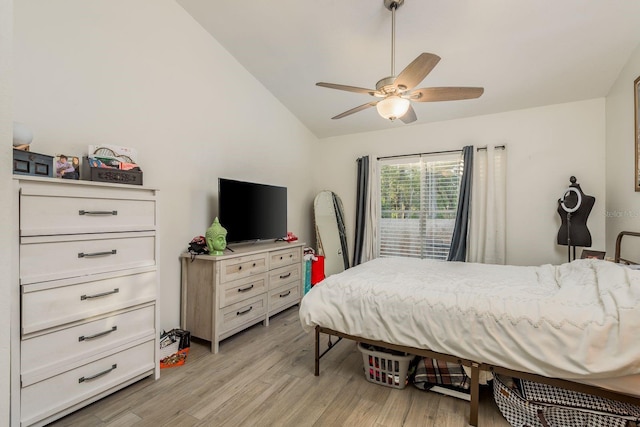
{"points": [[385, 368]]}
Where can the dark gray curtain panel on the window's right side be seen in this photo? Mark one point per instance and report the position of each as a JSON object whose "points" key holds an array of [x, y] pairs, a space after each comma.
{"points": [[458, 250]]}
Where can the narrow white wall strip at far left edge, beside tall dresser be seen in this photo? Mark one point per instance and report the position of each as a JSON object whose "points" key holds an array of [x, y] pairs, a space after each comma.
{"points": [[6, 207]]}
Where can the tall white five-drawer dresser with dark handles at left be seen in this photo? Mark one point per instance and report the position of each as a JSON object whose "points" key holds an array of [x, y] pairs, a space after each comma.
{"points": [[86, 312]]}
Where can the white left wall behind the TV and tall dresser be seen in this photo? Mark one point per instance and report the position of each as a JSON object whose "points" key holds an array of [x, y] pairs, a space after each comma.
{"points": [[144, 74]]}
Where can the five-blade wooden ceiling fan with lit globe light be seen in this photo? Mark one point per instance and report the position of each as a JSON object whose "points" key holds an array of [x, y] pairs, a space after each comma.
{"points": [[395, 93]]}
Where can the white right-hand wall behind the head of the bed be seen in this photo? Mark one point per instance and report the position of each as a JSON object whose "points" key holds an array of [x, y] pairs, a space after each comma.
{"points": [[623, 202]]}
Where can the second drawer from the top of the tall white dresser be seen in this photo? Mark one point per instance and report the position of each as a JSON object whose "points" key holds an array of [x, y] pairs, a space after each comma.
{"points": [[59, 257]]}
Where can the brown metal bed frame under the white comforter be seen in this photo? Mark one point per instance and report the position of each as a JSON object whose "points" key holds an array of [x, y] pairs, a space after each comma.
{"points": [[476, 367]]}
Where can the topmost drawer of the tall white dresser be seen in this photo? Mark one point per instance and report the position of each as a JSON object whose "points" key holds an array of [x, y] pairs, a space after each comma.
{"points": [[45, 215]]}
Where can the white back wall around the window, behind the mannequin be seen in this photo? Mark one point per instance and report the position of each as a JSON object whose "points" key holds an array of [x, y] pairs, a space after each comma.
{"points": [[545, 147]]}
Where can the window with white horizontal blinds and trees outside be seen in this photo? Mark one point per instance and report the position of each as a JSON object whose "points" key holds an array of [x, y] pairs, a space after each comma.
{"points": [[418, 204]]}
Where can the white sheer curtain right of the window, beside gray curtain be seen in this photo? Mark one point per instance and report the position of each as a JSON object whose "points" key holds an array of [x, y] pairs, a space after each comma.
{"points": [[487, 231]]}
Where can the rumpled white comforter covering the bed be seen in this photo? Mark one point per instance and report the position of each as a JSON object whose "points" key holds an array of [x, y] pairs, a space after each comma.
{"points": [[576, 320]]}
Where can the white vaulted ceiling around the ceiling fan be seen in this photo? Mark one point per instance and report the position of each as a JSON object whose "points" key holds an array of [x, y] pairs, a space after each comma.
{"points": [[525, 53]]}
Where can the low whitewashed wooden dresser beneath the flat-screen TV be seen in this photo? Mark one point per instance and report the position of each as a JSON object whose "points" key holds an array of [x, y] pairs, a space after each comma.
{"points": [[223, 295]]}
